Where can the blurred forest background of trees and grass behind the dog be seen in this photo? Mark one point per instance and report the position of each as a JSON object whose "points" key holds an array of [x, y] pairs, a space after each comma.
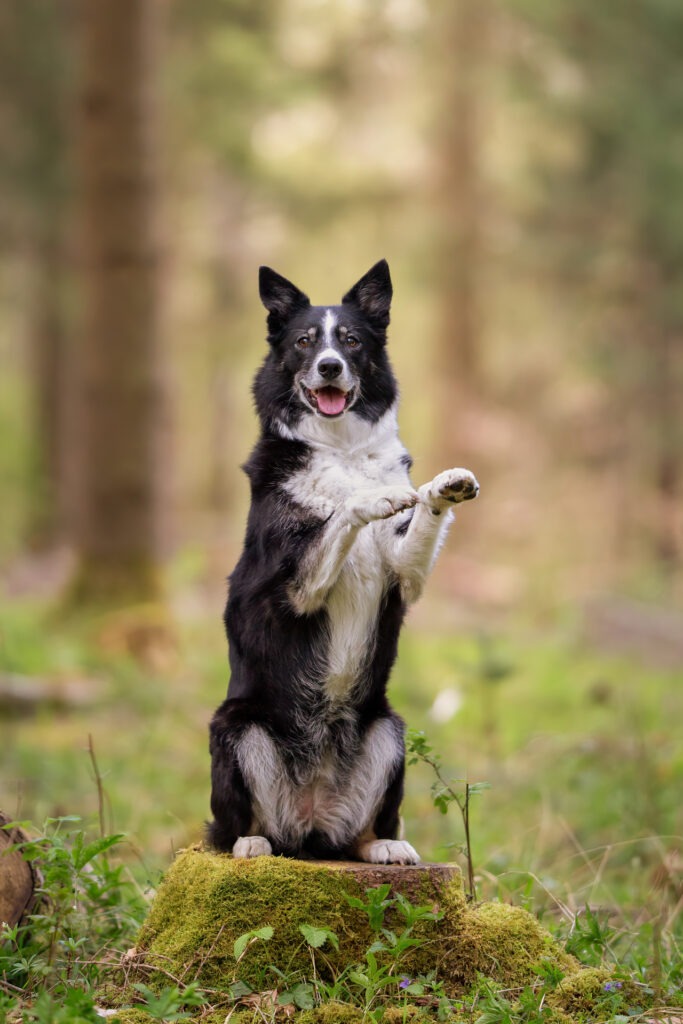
{"points": [[521, 166]]}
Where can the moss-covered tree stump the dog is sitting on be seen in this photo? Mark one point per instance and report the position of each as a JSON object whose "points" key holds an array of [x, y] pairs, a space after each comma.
{"points": [[207, 902]]}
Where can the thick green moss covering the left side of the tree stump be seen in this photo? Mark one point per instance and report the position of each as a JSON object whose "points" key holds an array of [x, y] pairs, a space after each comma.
{"points": [[207, 902]]}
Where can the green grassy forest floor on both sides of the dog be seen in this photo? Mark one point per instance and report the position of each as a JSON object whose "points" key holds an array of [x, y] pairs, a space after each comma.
{"points": [[583, 823]]}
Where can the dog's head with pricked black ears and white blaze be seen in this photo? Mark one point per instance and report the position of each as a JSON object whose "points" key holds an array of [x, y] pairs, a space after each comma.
{"points": [[326, 362]]}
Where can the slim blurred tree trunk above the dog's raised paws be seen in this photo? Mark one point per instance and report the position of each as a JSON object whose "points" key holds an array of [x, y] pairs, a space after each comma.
{"points": [[462, 28]]}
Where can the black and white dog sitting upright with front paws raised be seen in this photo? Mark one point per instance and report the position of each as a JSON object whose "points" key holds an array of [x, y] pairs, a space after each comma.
{"points": [[308, 756]]}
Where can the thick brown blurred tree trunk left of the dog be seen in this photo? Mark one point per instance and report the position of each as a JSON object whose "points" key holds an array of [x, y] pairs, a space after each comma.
{"points": [[125, 416]]}
